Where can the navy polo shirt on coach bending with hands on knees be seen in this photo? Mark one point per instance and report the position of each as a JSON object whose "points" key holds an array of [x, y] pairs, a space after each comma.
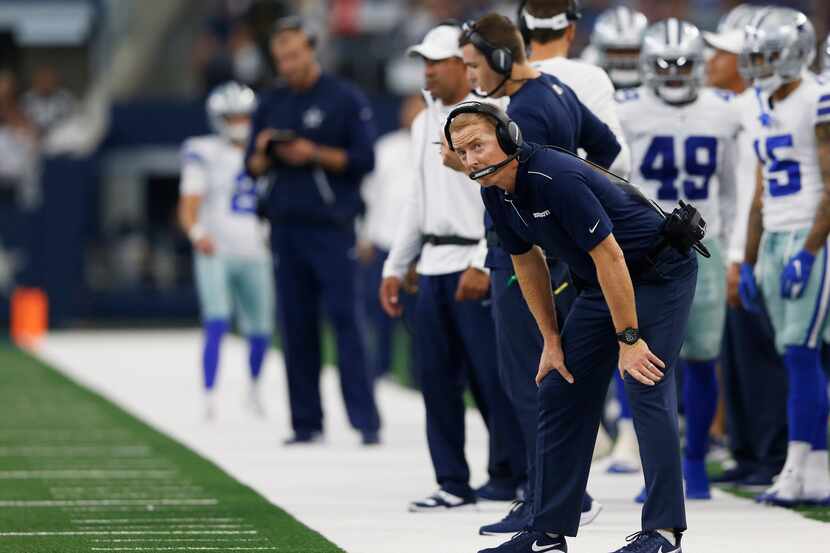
{"points": [[567, 208]]}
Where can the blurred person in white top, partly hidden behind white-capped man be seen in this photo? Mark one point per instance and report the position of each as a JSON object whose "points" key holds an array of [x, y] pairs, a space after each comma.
{"points": [[384, 192]]}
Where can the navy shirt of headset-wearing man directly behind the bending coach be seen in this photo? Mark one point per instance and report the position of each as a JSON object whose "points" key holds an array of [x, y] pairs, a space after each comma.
{"points": [[549, 113]]}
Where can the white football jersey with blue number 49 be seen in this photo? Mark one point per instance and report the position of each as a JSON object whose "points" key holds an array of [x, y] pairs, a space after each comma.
{"points": [[683, 152]]}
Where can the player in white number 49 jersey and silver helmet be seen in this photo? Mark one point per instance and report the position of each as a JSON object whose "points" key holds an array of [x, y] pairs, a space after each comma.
{"points": [[681, 136]]}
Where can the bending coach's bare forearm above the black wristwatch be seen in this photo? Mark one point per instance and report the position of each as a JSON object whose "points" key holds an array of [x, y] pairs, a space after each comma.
{"points": [[615, 282]]}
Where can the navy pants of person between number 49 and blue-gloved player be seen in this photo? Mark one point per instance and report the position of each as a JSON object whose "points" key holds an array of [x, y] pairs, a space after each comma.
{"points": [[753, 376]]}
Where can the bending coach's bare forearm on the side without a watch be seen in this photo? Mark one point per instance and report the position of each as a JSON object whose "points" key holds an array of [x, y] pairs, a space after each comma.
{"points": [[534, 281]]}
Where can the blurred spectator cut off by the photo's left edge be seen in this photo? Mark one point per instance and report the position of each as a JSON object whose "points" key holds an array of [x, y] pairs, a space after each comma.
{"points": [[18, 147]]}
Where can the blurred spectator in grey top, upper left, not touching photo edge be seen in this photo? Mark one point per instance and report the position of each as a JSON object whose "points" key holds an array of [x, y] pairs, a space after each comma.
{"points": [[47, 103]]}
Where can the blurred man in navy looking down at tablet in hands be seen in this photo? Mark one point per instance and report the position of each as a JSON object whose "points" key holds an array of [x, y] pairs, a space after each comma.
{"points": [[313, 135]]}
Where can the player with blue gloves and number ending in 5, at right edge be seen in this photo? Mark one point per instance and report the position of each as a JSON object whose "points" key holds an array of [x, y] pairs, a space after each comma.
{"points": [[787, 234]]}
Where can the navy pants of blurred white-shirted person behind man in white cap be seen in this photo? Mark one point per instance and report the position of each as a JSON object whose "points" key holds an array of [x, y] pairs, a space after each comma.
{"points": [[378, 324]]}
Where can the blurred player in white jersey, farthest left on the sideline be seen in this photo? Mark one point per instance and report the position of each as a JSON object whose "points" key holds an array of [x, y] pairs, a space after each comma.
{"points": [[217, 210]]}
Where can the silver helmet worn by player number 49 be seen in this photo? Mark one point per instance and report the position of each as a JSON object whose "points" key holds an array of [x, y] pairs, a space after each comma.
{"points": [[671, 60]]}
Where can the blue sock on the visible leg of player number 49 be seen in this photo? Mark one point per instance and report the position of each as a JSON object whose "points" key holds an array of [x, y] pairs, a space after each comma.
{"points": [[700, 396]]}
